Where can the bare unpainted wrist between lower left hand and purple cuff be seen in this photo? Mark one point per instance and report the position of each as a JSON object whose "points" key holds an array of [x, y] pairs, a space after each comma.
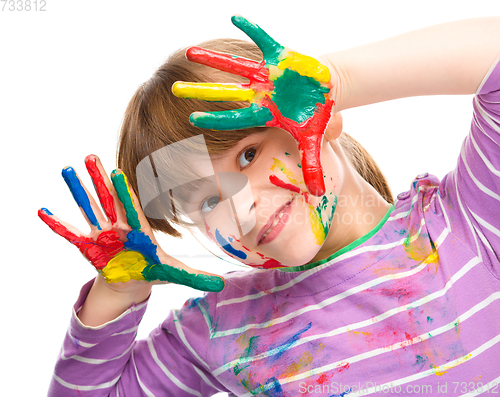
{"points": [[104, 304]]}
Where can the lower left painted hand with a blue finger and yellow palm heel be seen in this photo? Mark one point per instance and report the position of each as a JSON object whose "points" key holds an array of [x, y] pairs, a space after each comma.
{"points": [[121, 247]]}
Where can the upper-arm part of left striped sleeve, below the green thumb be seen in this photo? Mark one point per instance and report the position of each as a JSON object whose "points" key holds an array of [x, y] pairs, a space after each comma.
{"points": [[173, 361]]}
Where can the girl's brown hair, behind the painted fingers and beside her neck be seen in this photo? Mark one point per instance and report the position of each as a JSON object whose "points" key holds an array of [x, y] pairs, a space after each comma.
{"points": [[156, 118]]}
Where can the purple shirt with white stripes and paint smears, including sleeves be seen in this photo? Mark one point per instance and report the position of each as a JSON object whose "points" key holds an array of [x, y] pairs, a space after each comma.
{"points": [[413, 309]]}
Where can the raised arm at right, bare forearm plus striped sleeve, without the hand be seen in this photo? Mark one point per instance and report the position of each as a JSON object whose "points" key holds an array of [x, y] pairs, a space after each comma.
{"points": [[452, 58]]}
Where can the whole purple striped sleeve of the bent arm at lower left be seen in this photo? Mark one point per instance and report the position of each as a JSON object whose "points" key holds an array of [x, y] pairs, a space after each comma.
{"points": [[108, 361]]}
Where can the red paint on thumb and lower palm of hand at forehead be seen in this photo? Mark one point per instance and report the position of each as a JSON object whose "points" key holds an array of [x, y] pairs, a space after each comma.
{"points": [[309, 136]]}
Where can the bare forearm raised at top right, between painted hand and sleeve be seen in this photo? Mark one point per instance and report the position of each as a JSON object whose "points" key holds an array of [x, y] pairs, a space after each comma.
{"points": [[446, 59]]}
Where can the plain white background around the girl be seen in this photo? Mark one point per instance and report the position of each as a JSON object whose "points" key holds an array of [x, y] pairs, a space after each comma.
{"points": [[66, 76]]}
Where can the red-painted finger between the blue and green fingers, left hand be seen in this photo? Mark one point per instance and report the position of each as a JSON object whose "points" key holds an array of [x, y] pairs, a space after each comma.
{"points": [[102, 186]]}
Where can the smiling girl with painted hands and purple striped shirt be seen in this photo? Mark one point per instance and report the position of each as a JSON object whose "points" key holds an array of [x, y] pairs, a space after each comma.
{"points": [[351, 295]]}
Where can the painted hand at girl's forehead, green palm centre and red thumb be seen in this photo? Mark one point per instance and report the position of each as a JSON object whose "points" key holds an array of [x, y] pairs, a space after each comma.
{"points": [[286, 90]]}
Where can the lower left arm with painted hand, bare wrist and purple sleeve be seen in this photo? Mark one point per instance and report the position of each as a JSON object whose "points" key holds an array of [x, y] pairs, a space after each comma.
{"points": [[97, 353]]}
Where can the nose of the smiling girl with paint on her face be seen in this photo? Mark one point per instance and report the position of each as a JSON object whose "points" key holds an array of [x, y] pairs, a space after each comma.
{"points": [[235, 187]]}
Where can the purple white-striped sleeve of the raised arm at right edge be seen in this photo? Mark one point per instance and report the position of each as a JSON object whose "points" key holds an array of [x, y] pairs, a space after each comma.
{"points": [[472, 190]]}
